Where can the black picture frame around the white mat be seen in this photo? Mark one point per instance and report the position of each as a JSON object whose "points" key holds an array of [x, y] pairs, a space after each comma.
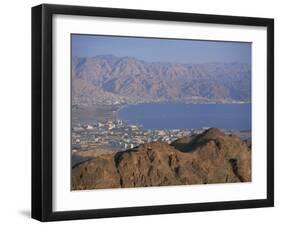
{"points": [[42, 111]]}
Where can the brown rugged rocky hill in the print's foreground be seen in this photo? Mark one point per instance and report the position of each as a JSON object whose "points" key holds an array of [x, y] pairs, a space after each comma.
{"points": [[210, 157]]}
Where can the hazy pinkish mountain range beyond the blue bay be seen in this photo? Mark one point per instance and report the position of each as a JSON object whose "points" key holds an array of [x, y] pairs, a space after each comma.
{"points": [[111, 80]]}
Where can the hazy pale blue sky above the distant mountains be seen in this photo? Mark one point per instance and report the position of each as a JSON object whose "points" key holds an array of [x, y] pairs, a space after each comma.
{"points": [[161, 50]]}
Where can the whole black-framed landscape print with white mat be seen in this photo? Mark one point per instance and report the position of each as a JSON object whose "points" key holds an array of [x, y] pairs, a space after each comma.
{"points": [[145, 112]]}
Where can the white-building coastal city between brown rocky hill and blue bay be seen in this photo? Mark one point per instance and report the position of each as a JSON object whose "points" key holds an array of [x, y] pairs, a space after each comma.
{"points": [[118, 135]]}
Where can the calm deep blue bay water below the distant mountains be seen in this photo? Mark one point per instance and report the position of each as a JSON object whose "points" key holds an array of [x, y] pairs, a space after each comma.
{"points": [[188, 116]]}
